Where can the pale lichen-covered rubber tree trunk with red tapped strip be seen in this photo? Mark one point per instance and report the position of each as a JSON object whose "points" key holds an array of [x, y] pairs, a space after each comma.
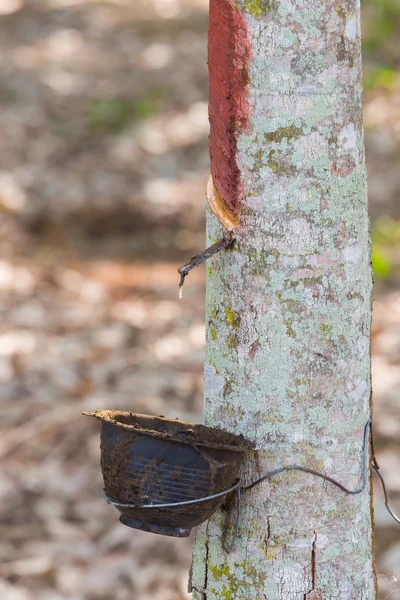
{"points": [[289, 307]]}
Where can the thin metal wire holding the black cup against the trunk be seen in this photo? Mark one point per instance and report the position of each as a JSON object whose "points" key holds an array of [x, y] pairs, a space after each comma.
{"points": [[239, 488]]}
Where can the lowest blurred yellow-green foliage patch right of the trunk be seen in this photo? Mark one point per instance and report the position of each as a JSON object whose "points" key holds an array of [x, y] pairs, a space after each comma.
{"points": [[385, 238]]}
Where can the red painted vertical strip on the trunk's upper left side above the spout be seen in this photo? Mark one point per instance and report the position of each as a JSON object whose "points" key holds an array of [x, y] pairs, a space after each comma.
{"points": [[228, 57]]}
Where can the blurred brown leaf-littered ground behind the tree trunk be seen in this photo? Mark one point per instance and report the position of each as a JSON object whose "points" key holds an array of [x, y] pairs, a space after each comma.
{"points": [[103, 163]]}
